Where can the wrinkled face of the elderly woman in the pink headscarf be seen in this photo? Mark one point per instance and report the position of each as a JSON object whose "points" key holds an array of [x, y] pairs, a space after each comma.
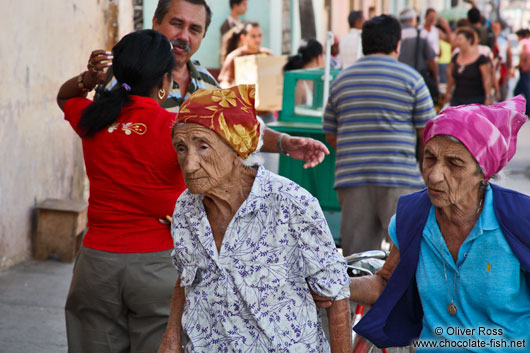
{"points": [[449, 171]]}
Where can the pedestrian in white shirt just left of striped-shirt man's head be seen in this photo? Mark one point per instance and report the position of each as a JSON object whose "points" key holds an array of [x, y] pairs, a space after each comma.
{"points": [[350, 45]]}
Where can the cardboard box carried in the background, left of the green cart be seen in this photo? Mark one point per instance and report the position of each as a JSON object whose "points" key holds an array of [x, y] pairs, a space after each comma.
{"points": [[266, 73]]}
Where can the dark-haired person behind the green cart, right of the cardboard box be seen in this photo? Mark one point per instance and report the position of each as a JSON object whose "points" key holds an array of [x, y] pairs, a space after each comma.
{"points": [[310, 55]]}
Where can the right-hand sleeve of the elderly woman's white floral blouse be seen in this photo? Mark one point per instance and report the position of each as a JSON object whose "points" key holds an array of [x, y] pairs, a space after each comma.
{"points": [[323, 266]]}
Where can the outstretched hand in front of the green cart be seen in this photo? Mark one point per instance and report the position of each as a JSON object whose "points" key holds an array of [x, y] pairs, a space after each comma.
{"points": [[304, 148]]}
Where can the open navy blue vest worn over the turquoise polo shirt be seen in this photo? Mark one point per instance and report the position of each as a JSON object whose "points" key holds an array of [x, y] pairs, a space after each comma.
{"points": [[396, 318]]}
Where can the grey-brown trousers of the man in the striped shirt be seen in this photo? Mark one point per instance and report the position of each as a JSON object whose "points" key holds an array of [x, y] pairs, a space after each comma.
{"points": [[366, 213]]}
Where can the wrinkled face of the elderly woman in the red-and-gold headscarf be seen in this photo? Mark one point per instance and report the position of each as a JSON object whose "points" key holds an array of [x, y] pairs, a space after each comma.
{"points": [[205, 159]]}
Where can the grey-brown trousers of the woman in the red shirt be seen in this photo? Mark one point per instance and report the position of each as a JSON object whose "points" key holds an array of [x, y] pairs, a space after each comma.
{"points": [[119, 302]]}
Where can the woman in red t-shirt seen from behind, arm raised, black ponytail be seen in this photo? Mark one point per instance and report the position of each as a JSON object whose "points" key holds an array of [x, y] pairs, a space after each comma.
{"points": [[122, 281]]}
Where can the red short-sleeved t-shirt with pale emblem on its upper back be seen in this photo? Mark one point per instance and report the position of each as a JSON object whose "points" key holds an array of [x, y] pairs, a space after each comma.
{"points": [[134, 175]]}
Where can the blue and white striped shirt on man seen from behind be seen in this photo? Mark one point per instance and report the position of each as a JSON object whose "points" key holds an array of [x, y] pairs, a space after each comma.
{"points": [[374, 108]]}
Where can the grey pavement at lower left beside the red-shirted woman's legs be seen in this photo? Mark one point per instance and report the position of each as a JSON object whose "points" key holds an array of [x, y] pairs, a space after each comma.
{"points": [[32, 298]]}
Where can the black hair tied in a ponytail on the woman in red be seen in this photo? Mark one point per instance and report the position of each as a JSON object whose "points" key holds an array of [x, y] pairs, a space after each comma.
{"points": [[141, 59]]}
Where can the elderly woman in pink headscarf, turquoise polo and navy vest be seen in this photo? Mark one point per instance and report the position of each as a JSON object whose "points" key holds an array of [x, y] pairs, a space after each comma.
{"points": [[457, 276]]}
